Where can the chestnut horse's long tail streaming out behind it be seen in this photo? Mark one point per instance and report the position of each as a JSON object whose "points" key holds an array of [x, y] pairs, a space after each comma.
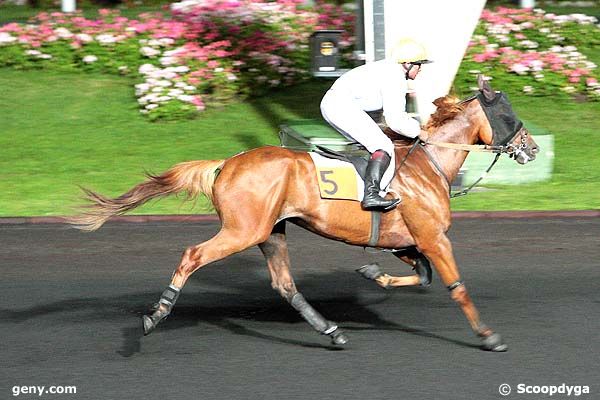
{"points": [[193, 177]]}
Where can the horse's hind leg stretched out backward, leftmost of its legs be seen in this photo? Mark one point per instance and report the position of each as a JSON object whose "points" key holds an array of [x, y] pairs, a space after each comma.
{"points": [[225, 243]]}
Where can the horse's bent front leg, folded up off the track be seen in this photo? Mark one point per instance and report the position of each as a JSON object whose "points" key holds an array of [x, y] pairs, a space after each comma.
{"points": [[412, 257]]}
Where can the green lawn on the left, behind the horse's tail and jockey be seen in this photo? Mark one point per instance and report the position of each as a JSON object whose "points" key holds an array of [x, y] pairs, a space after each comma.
{"points": [[60, 130]]}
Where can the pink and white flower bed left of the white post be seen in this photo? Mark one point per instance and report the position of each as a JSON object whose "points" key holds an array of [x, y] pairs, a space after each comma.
{"points": [[205, 54]]}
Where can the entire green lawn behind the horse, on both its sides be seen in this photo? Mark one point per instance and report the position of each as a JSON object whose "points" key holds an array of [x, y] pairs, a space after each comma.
{"points": [[60, 130]]}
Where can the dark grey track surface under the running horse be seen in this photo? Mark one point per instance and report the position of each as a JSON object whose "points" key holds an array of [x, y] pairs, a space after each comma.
{"points": [[72, 302]]}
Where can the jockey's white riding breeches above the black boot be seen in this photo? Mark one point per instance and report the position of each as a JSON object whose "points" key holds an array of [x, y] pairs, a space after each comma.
{"points": [[347, 116]]}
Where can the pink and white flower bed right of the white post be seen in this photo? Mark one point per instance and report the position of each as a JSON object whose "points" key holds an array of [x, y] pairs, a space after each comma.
{"points": [[534, 52]]}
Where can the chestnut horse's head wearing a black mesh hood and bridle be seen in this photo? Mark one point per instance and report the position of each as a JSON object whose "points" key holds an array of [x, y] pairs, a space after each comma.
{"points": [[501, 126]]}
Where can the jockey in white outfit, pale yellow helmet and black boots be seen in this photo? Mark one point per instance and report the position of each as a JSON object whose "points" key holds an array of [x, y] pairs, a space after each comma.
{"points": [[380, 85]]}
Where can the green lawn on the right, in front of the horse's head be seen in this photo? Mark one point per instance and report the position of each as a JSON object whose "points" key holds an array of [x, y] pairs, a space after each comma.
{"points": [[575, 183]]}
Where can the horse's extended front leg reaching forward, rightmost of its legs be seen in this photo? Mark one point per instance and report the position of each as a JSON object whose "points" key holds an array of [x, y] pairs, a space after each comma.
{"points": [[438, 249]]}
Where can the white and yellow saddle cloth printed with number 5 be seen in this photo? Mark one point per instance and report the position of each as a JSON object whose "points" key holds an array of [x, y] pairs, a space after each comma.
{"points": [[338, 179]]}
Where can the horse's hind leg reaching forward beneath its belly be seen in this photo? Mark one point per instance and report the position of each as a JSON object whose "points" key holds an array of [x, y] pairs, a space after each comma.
{"points": [[276, 252]]}
